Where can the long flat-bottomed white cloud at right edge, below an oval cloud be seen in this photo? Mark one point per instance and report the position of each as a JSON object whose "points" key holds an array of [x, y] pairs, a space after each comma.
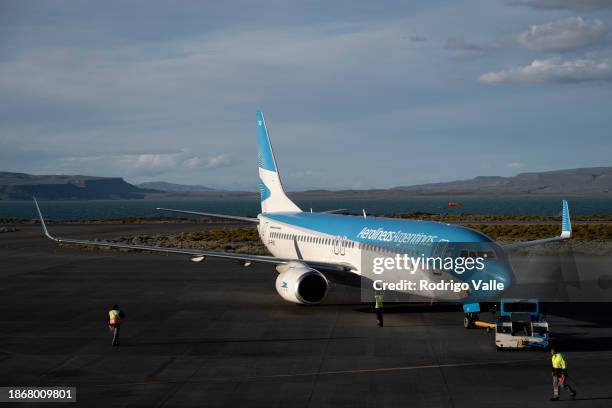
{"points": [[553, 70]]}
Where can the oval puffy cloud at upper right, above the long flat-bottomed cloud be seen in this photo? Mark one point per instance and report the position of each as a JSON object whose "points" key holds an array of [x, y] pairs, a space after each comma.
{"points": [[563, 35]]}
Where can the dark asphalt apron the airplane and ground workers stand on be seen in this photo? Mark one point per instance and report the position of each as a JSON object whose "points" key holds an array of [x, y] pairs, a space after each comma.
{"points": [[216, 334]]}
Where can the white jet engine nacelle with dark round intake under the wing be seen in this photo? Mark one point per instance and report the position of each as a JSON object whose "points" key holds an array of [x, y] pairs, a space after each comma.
{"points": [[297, 283]]}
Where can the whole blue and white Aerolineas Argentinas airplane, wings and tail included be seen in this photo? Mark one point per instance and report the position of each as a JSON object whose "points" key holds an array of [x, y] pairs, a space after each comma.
{"points": [[311, 249]]}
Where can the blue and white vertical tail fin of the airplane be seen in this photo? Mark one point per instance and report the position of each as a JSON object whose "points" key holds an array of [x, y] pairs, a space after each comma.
{"points": [[273, 197]]}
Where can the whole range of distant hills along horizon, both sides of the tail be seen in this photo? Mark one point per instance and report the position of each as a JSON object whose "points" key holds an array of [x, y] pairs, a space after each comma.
{"points": [[584, 181]]}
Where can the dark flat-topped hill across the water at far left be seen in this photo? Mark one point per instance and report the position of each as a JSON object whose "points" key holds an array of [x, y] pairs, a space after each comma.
{"points": [[21, 186]]}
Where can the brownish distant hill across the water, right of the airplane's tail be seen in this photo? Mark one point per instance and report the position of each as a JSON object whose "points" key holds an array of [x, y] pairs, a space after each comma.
{"points": [[594, 180]]}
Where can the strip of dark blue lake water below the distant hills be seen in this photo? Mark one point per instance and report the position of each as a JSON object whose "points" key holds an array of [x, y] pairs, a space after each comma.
{"points": [[106, 209]]}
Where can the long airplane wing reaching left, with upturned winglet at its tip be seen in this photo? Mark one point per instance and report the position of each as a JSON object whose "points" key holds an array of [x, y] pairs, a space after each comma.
{"points": [[196, 255]]}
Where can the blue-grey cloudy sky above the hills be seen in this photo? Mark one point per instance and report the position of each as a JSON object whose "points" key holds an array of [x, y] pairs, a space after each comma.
{"points": [[355, 94]]}
